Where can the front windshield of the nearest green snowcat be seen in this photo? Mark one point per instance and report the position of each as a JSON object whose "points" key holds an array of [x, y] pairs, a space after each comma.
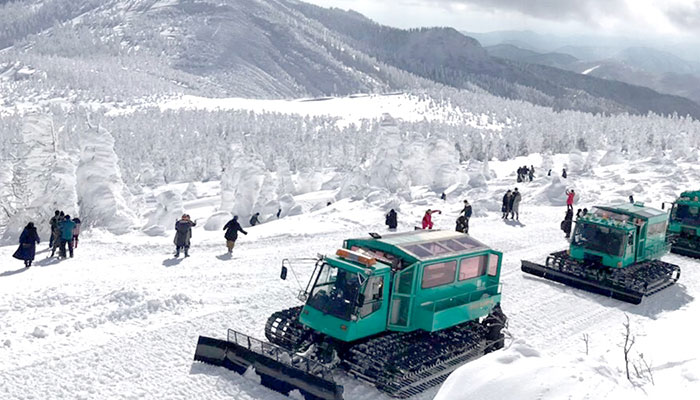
{"points": [[336, 291]]}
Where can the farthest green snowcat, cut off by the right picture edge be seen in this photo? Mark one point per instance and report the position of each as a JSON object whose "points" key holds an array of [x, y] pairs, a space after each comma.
{"points": [[684, 225]]}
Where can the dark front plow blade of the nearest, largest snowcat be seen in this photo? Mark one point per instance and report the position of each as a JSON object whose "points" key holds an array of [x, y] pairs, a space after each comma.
{"points": [[278, 369]]}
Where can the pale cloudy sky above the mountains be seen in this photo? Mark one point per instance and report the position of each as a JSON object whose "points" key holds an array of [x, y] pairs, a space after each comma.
{"points": [[658, 18]]}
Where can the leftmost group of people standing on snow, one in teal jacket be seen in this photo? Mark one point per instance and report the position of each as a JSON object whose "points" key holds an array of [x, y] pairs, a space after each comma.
{"points": [[64, 234]]}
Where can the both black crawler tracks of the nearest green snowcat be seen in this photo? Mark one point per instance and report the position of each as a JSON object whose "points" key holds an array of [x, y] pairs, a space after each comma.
{"points": [[397, 363]]}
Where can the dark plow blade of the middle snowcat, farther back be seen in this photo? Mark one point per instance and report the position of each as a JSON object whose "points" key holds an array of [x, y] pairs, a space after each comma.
{"points": [[580, 283]]}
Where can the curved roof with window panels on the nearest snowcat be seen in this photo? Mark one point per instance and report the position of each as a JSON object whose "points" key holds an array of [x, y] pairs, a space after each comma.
{"points": [[422, 245]]}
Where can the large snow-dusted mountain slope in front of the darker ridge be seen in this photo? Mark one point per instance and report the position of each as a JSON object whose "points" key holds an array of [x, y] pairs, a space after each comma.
{"points": [[278, 48]]}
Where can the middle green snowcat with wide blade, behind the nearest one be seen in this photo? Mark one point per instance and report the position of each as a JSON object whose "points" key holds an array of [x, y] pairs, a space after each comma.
{"points": [[615, 252]]}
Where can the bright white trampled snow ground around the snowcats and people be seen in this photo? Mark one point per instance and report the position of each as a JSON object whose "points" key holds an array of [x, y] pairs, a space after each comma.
{"points": [[122, 318]]}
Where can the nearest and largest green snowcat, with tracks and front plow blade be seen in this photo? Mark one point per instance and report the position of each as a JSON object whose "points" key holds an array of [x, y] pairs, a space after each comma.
{"points": [[400, 312]]}
